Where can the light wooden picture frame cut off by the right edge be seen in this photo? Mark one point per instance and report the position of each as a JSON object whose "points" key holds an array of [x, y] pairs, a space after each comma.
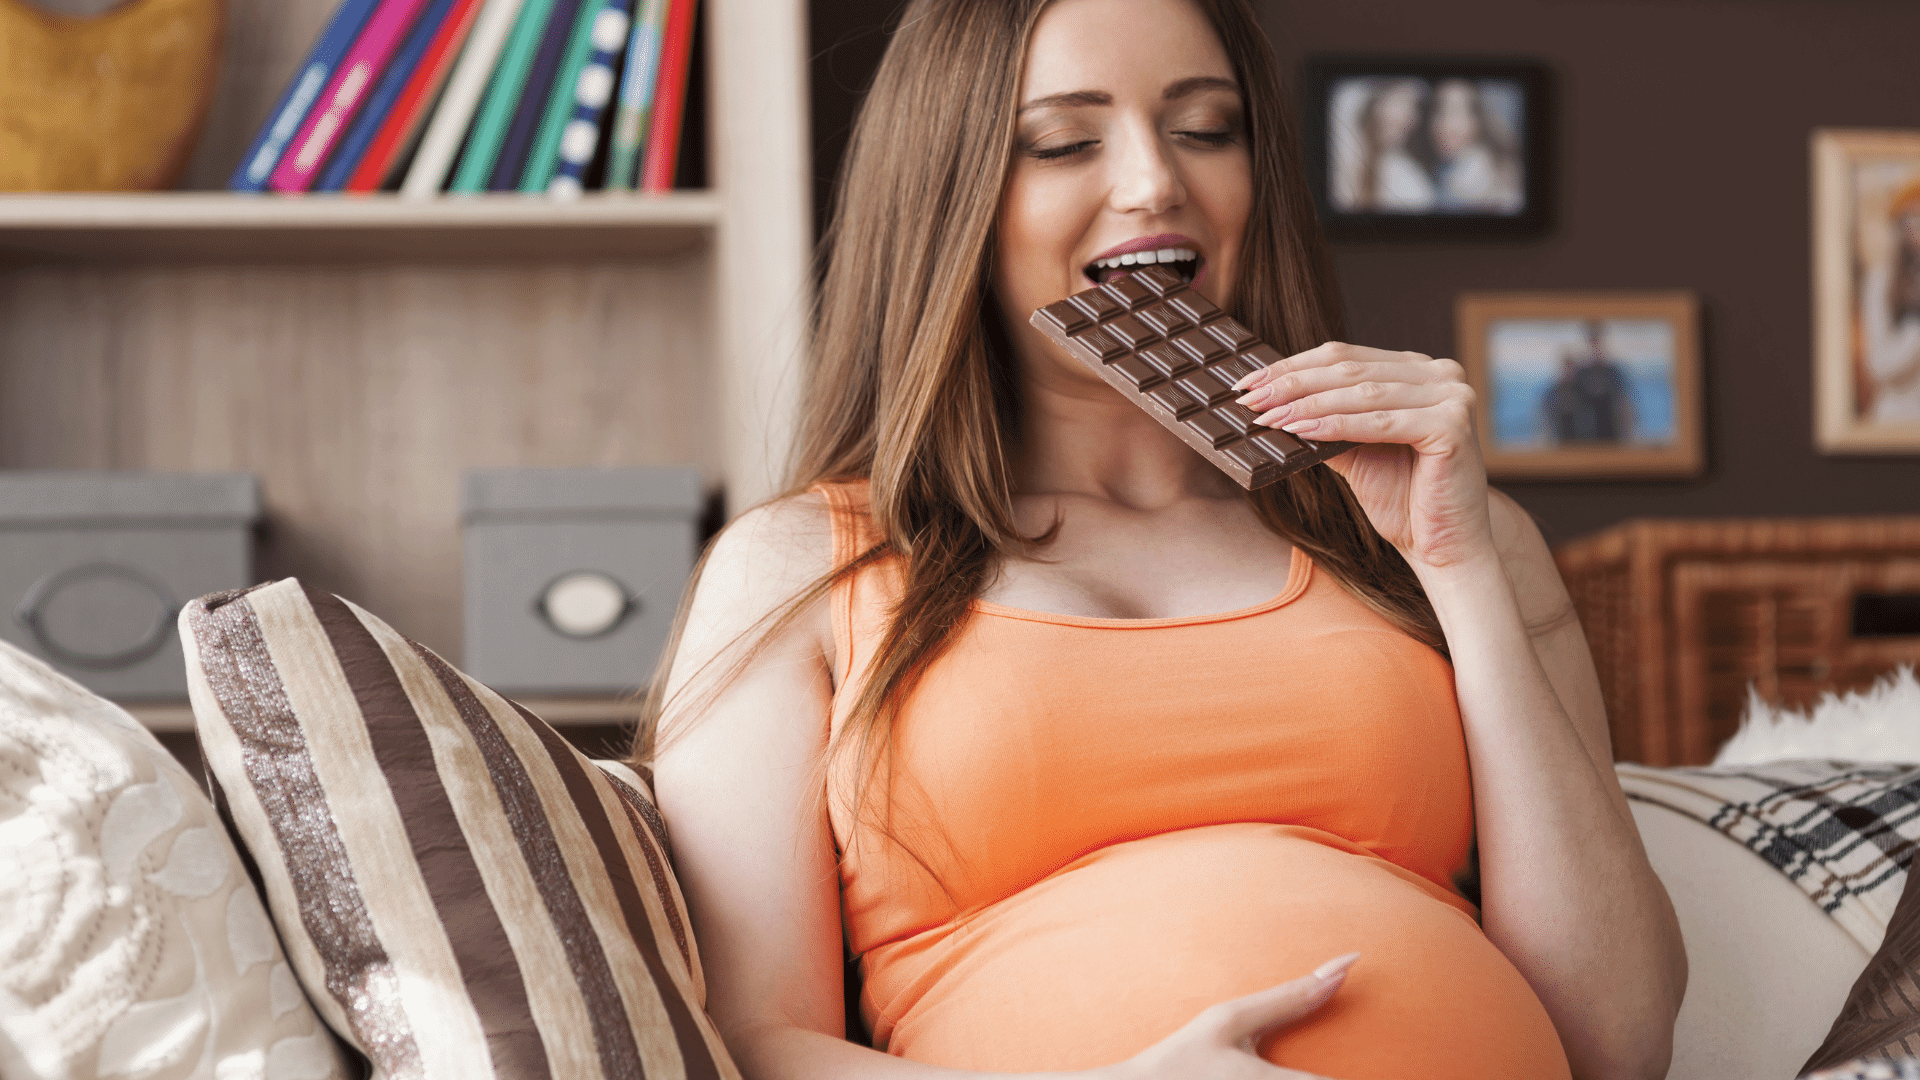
{"points": [[1867, 291]]}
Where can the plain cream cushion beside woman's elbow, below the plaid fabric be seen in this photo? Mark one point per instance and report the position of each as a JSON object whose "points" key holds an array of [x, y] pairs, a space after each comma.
{"points": [[1767, 970]]}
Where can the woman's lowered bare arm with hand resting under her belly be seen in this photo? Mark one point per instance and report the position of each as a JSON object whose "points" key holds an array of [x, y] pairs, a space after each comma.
{"points": [[742, 787]]}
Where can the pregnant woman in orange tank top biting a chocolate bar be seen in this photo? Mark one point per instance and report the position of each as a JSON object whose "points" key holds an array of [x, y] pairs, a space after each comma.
{"points": [[1092, 760]]}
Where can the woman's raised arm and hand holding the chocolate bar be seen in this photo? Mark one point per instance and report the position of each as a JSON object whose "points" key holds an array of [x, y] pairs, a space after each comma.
{"points": [[1566, 885]]}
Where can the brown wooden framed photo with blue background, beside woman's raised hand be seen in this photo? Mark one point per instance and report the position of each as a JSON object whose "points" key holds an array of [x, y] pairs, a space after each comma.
{"points": [[1585, 385]]}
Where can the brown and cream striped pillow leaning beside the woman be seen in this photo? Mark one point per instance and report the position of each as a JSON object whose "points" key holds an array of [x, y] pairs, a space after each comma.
{"points": [[460, 891]]}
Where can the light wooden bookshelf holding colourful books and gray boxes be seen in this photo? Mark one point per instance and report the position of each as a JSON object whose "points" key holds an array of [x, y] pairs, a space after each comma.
{"points": [[360, 353]]}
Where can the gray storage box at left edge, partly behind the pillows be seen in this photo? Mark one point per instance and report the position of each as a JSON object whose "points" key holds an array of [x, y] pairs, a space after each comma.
{"points": [[95, 568]]}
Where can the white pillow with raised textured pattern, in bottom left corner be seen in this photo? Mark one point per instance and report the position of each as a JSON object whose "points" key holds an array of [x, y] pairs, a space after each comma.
{"points": [[132, 941]]}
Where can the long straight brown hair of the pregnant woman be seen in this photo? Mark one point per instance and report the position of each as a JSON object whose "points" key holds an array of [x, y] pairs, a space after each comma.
{"points": [[913, 383]]}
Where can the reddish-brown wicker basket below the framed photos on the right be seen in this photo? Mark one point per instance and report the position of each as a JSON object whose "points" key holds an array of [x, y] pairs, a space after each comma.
{"points": [[1687, 616]]}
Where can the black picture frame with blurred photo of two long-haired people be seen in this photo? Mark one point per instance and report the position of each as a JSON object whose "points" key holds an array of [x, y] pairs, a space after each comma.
{"points": [[1404, 149]]}
